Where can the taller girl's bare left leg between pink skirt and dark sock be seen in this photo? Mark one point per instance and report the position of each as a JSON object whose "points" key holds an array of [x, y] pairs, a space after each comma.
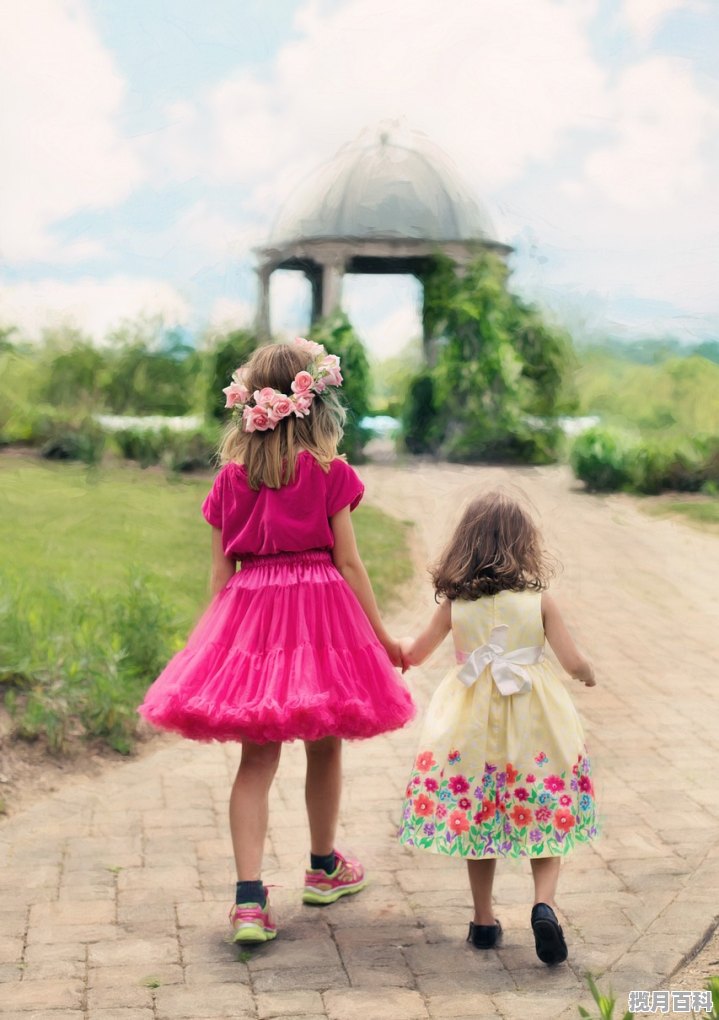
{"points": [[248, 806]]}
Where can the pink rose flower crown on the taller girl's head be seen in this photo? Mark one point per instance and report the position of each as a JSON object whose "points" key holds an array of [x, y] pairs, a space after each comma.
{"points": [[271, 406]]}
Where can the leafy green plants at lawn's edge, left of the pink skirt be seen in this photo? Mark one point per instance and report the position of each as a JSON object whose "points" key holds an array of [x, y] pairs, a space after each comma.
{"points": [[78, 667]]}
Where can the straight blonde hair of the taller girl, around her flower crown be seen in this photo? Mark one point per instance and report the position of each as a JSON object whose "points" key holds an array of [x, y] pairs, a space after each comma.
{"points": [[270, 457]]}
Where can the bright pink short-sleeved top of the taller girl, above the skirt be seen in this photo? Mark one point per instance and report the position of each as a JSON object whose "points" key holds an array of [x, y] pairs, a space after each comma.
{"points": [[291, 520]]}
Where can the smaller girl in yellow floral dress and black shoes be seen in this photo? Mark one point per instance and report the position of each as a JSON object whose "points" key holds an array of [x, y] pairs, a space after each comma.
{"points": [[502, 769]]}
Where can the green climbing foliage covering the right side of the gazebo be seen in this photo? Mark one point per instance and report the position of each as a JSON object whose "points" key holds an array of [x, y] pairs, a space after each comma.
{"points": [[497, 366]]}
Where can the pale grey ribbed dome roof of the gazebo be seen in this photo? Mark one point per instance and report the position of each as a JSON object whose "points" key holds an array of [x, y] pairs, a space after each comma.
{"points": [[386, 185]]}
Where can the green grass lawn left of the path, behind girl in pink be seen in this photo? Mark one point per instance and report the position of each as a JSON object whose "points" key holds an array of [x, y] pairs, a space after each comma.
{"points": [[104, 572]]}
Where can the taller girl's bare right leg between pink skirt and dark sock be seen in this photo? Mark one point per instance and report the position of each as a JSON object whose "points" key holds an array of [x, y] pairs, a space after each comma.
{"points": [[323, 792]]}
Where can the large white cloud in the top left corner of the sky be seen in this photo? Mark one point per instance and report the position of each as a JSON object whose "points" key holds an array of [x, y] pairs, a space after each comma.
{"points": [[63, 149]]}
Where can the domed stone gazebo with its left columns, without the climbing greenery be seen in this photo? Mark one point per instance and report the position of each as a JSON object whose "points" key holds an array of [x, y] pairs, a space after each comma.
{"points": [[387, 203]]}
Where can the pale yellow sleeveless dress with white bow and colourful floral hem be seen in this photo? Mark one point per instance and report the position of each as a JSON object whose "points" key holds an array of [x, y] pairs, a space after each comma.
{"points": [[502, 769]]}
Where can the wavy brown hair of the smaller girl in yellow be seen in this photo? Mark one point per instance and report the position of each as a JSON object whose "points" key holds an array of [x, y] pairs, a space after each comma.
{"points": [[496, 547]]}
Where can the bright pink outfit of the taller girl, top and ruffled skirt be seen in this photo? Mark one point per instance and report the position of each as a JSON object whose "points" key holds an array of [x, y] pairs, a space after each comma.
{"points": [[285, 651]]}
